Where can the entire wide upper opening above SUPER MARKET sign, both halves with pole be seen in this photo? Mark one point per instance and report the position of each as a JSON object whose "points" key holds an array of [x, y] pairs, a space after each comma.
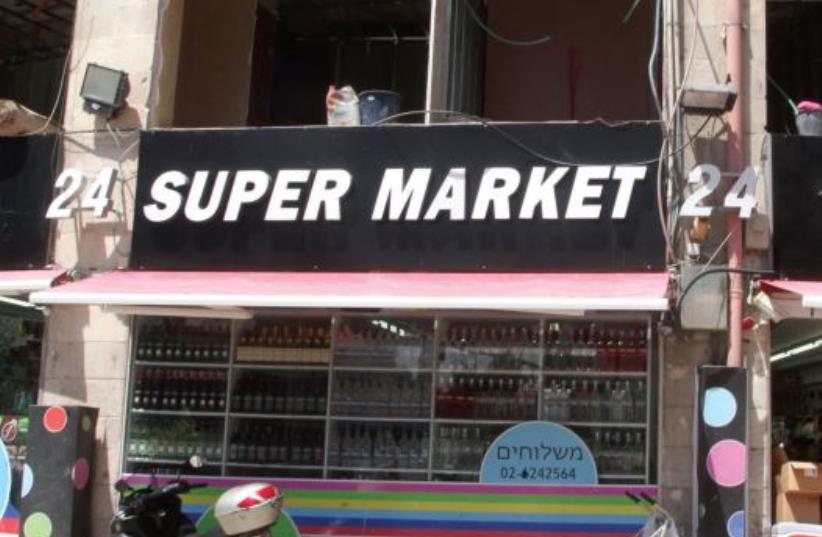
{"points": [[270, 62]]}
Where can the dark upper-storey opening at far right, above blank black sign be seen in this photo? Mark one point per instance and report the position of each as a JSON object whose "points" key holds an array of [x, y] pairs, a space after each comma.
{"points": [[794, 49]]}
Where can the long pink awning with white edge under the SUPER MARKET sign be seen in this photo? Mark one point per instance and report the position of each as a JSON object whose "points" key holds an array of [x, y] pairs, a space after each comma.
{"points": [[494, 291]]}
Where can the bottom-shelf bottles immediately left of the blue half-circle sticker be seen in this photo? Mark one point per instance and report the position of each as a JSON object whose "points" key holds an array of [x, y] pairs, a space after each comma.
{"points": [[462, 447]]}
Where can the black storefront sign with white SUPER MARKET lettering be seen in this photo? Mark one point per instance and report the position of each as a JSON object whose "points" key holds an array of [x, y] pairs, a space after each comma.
{"points": [[444, 197]]}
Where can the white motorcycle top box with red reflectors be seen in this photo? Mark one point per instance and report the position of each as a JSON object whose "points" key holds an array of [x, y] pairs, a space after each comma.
{"points": [[248, 508]]}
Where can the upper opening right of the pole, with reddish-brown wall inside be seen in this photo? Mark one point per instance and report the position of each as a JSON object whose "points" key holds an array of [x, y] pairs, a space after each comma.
{"points": [[594, 66]]}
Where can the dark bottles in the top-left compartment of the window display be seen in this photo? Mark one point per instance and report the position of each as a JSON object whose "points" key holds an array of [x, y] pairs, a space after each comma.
{"points": [[184, 340]]}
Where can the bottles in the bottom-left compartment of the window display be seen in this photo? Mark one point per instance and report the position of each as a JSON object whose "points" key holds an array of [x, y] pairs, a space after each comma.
{"points": [[176, 440]]}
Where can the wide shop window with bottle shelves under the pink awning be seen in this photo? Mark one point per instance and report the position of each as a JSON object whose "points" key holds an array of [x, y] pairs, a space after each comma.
{"points": [[384, 397]]}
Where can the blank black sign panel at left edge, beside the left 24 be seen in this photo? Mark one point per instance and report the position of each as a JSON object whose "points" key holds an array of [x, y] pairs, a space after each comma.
{"points": [[26, 168]]}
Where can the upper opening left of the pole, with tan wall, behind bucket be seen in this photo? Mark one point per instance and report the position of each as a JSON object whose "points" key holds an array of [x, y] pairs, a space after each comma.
{"points": [[271, 62]]}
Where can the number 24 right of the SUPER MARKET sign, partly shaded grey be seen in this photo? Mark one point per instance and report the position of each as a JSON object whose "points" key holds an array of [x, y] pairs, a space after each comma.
{"points": [[740, 196]]}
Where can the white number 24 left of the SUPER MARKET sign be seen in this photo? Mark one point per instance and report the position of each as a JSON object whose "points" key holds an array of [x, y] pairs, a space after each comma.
{"points": [[97, 197]]}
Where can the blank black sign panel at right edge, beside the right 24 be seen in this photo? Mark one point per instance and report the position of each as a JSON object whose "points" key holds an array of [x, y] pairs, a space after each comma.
{"points": [[797, 205]]}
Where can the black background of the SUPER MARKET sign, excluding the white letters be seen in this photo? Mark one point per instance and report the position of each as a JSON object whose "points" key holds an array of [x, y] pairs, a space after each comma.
{"points": [[356, 242]]}
